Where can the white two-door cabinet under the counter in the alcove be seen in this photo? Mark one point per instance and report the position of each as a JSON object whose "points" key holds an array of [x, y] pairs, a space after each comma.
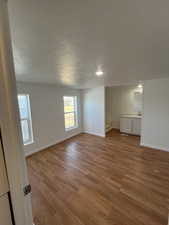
{"points": [[130, 125]]}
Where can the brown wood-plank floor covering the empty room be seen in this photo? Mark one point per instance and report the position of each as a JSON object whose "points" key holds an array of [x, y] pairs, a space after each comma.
{"points": [[89, 180]]}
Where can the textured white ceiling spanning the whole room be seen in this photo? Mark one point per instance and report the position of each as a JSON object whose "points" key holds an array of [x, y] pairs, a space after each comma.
{"points": [[64, 42]]}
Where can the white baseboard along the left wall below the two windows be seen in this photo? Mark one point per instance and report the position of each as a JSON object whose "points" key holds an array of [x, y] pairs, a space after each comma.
{"points": [[49, 145]]}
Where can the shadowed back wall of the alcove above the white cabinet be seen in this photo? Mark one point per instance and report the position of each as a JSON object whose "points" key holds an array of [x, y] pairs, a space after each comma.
{"points": [[121, 100]]}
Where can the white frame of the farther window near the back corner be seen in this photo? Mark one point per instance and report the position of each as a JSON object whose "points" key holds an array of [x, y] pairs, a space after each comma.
{"points": [[75, 112]]}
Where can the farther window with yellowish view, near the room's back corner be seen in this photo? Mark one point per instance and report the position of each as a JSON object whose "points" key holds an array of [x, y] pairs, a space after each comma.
{"points": [[70, 112]]}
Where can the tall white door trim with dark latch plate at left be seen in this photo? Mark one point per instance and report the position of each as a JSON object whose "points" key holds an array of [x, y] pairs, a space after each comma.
{"points": [[10, 126]]}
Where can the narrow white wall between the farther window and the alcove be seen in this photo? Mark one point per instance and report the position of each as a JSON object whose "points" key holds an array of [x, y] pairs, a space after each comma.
{"points": [[94, 111]]}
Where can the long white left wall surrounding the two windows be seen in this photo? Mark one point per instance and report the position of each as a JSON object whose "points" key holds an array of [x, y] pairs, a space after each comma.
{"points": [[48, 114]]}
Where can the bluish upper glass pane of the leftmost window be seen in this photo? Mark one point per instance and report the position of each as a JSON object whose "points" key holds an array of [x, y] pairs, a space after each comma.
{"points": [[23, 106]]}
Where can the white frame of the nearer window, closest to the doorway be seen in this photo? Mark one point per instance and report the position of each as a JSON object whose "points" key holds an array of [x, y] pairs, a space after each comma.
{"points": [[29, 120]]}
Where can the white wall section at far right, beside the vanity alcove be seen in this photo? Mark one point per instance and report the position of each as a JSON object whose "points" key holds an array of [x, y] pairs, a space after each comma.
{"points": [[155, 122]]}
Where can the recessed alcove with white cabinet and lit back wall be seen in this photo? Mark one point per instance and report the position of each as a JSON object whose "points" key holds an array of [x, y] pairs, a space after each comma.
{"points": [[124, 106]]}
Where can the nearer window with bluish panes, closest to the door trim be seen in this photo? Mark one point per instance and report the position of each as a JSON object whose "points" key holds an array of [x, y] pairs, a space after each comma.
{"points": [[25, 117]]}
